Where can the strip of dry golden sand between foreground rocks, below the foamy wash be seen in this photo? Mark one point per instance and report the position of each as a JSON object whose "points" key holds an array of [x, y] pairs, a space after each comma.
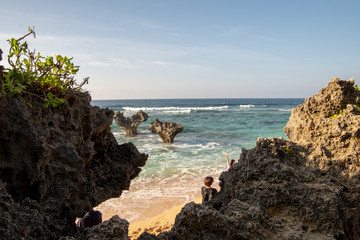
{"points": [[157, 224]]}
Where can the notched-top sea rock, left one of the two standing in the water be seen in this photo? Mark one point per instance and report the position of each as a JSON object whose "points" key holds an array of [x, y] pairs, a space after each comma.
{"points": [[130, 125]]}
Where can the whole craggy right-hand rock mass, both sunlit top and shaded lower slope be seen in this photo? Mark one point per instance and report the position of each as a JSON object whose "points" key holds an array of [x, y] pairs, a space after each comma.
{"points": [[306, 187]]}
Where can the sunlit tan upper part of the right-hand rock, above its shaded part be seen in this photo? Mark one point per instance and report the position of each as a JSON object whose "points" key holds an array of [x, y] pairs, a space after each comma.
{"points": [[332, 139]]}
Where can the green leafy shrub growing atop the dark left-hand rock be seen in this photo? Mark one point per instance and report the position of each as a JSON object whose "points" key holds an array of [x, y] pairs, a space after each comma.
{"points": [[47, 78]]}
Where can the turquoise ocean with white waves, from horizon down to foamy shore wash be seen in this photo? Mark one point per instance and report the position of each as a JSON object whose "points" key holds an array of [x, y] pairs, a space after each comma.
{"points": [[174, 172]]}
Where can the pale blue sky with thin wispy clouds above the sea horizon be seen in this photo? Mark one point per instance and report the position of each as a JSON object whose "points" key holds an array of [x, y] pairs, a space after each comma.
{"points": [[195, 49]]}
